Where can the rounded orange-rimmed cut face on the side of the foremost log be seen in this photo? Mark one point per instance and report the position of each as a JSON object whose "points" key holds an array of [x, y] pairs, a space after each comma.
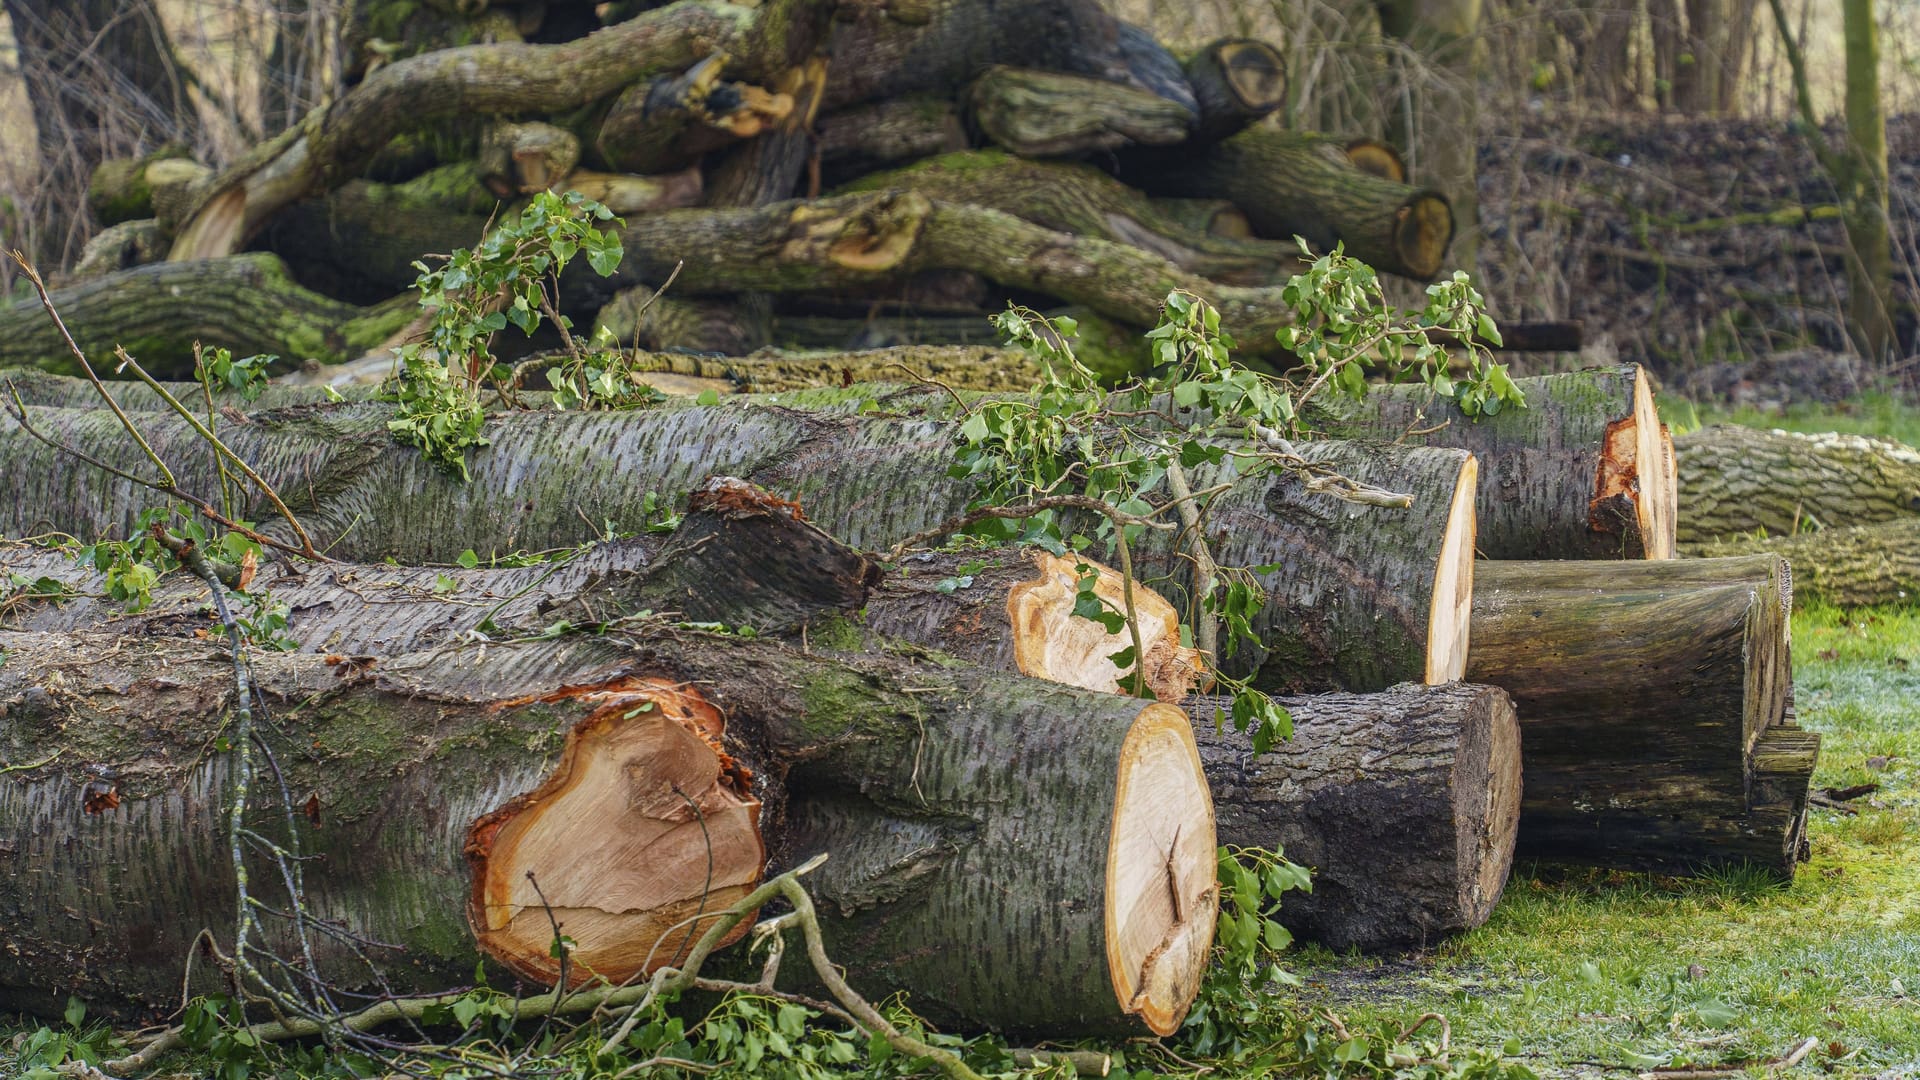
{"points": [[642, 827]]}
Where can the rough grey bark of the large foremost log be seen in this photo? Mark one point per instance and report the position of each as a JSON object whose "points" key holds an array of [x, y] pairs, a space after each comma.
{"points": [[414, 750]]}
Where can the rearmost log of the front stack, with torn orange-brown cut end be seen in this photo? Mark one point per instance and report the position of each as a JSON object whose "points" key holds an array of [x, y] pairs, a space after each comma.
{"points": [[1579, 474]]}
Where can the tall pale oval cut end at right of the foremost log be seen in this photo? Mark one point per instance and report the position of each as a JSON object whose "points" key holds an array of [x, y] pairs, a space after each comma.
{"points": [[1161, 877]]}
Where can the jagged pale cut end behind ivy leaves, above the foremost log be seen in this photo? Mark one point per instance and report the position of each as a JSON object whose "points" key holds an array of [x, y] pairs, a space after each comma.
{"points": [[1059, 647]]}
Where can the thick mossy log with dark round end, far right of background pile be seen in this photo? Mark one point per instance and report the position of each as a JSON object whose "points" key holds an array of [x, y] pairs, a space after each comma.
{"points": [[1301, 185]]}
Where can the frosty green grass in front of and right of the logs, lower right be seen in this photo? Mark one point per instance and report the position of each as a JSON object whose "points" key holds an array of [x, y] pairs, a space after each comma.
{"points": [[1604, 971]]}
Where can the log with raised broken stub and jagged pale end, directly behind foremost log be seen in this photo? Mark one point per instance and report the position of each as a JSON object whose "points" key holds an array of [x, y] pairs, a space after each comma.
{"points": [[1005, 610]]}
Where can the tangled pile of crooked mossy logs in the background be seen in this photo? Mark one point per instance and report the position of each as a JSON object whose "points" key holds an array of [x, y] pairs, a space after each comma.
{"points": [[828, 172]]}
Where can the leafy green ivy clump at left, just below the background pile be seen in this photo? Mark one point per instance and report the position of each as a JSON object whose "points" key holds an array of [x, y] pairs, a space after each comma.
{"points": [[510, 280]]}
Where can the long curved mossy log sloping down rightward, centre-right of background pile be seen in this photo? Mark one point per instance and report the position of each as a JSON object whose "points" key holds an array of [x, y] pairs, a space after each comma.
{"points": [[1092, 205]]}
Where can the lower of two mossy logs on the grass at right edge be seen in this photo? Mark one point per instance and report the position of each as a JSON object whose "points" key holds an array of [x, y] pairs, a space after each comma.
{"points": [[1858, 566]]}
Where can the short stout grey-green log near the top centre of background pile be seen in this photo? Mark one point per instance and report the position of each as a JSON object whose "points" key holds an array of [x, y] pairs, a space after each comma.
{"points": [[1044, 114]]}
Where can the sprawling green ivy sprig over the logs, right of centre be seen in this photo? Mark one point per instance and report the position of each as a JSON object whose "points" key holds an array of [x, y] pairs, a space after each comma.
{"points": [[1203, 414]]}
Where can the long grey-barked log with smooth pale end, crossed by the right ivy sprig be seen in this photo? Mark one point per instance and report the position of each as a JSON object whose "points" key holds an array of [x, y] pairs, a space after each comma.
{"points": [[1358, 597]]}
